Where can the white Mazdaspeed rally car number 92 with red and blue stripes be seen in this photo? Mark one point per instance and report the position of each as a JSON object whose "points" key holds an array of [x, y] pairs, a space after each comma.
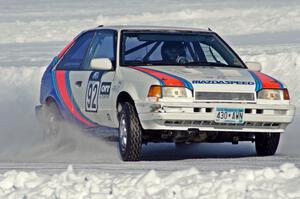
{"points": [[163, 84]]}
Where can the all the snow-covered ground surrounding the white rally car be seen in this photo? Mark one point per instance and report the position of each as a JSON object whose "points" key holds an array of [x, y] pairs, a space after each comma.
{"points": [[33, 31]]}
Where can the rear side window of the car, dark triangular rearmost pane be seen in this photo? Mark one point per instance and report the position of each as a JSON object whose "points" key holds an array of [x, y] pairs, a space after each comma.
{"points": [[75, 56]]}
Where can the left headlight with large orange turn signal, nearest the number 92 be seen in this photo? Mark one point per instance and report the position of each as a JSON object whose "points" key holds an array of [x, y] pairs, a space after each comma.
{"points": [[175, 92]]}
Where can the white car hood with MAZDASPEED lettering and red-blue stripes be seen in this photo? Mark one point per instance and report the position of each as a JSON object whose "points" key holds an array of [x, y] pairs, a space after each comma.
{"points": [[201, 78]]}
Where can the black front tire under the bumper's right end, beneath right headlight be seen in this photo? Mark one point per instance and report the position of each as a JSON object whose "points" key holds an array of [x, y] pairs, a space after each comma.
{"points": [[266, 143]]}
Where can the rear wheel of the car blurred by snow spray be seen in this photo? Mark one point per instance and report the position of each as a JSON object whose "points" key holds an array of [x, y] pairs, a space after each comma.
{"points": [[52, 121]]}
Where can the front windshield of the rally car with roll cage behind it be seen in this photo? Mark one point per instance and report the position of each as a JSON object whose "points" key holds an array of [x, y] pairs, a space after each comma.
{"points": [[179, 48]]}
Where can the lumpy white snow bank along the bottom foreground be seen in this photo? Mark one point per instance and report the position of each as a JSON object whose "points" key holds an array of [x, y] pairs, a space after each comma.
{"points": [[282, 182]]}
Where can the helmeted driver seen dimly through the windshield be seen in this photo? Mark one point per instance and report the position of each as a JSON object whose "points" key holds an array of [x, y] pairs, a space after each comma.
{"points": [[173, 52]]}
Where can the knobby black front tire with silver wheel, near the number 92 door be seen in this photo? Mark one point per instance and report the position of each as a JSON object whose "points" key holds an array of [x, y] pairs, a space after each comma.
{"points": [[130, 146]]}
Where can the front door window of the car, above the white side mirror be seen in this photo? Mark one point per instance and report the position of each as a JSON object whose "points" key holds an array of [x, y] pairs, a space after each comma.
{"points": [[103, 46]]}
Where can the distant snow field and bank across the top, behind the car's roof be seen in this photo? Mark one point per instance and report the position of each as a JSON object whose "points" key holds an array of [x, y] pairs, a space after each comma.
{"points": [[32, 20]]}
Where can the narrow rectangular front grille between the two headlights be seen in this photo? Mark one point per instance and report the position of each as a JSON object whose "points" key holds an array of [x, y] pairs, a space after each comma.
{"points": [[224, 96]]}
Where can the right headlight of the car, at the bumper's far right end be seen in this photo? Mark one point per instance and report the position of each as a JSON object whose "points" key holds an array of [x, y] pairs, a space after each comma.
{"points": [[273, 94]]}
